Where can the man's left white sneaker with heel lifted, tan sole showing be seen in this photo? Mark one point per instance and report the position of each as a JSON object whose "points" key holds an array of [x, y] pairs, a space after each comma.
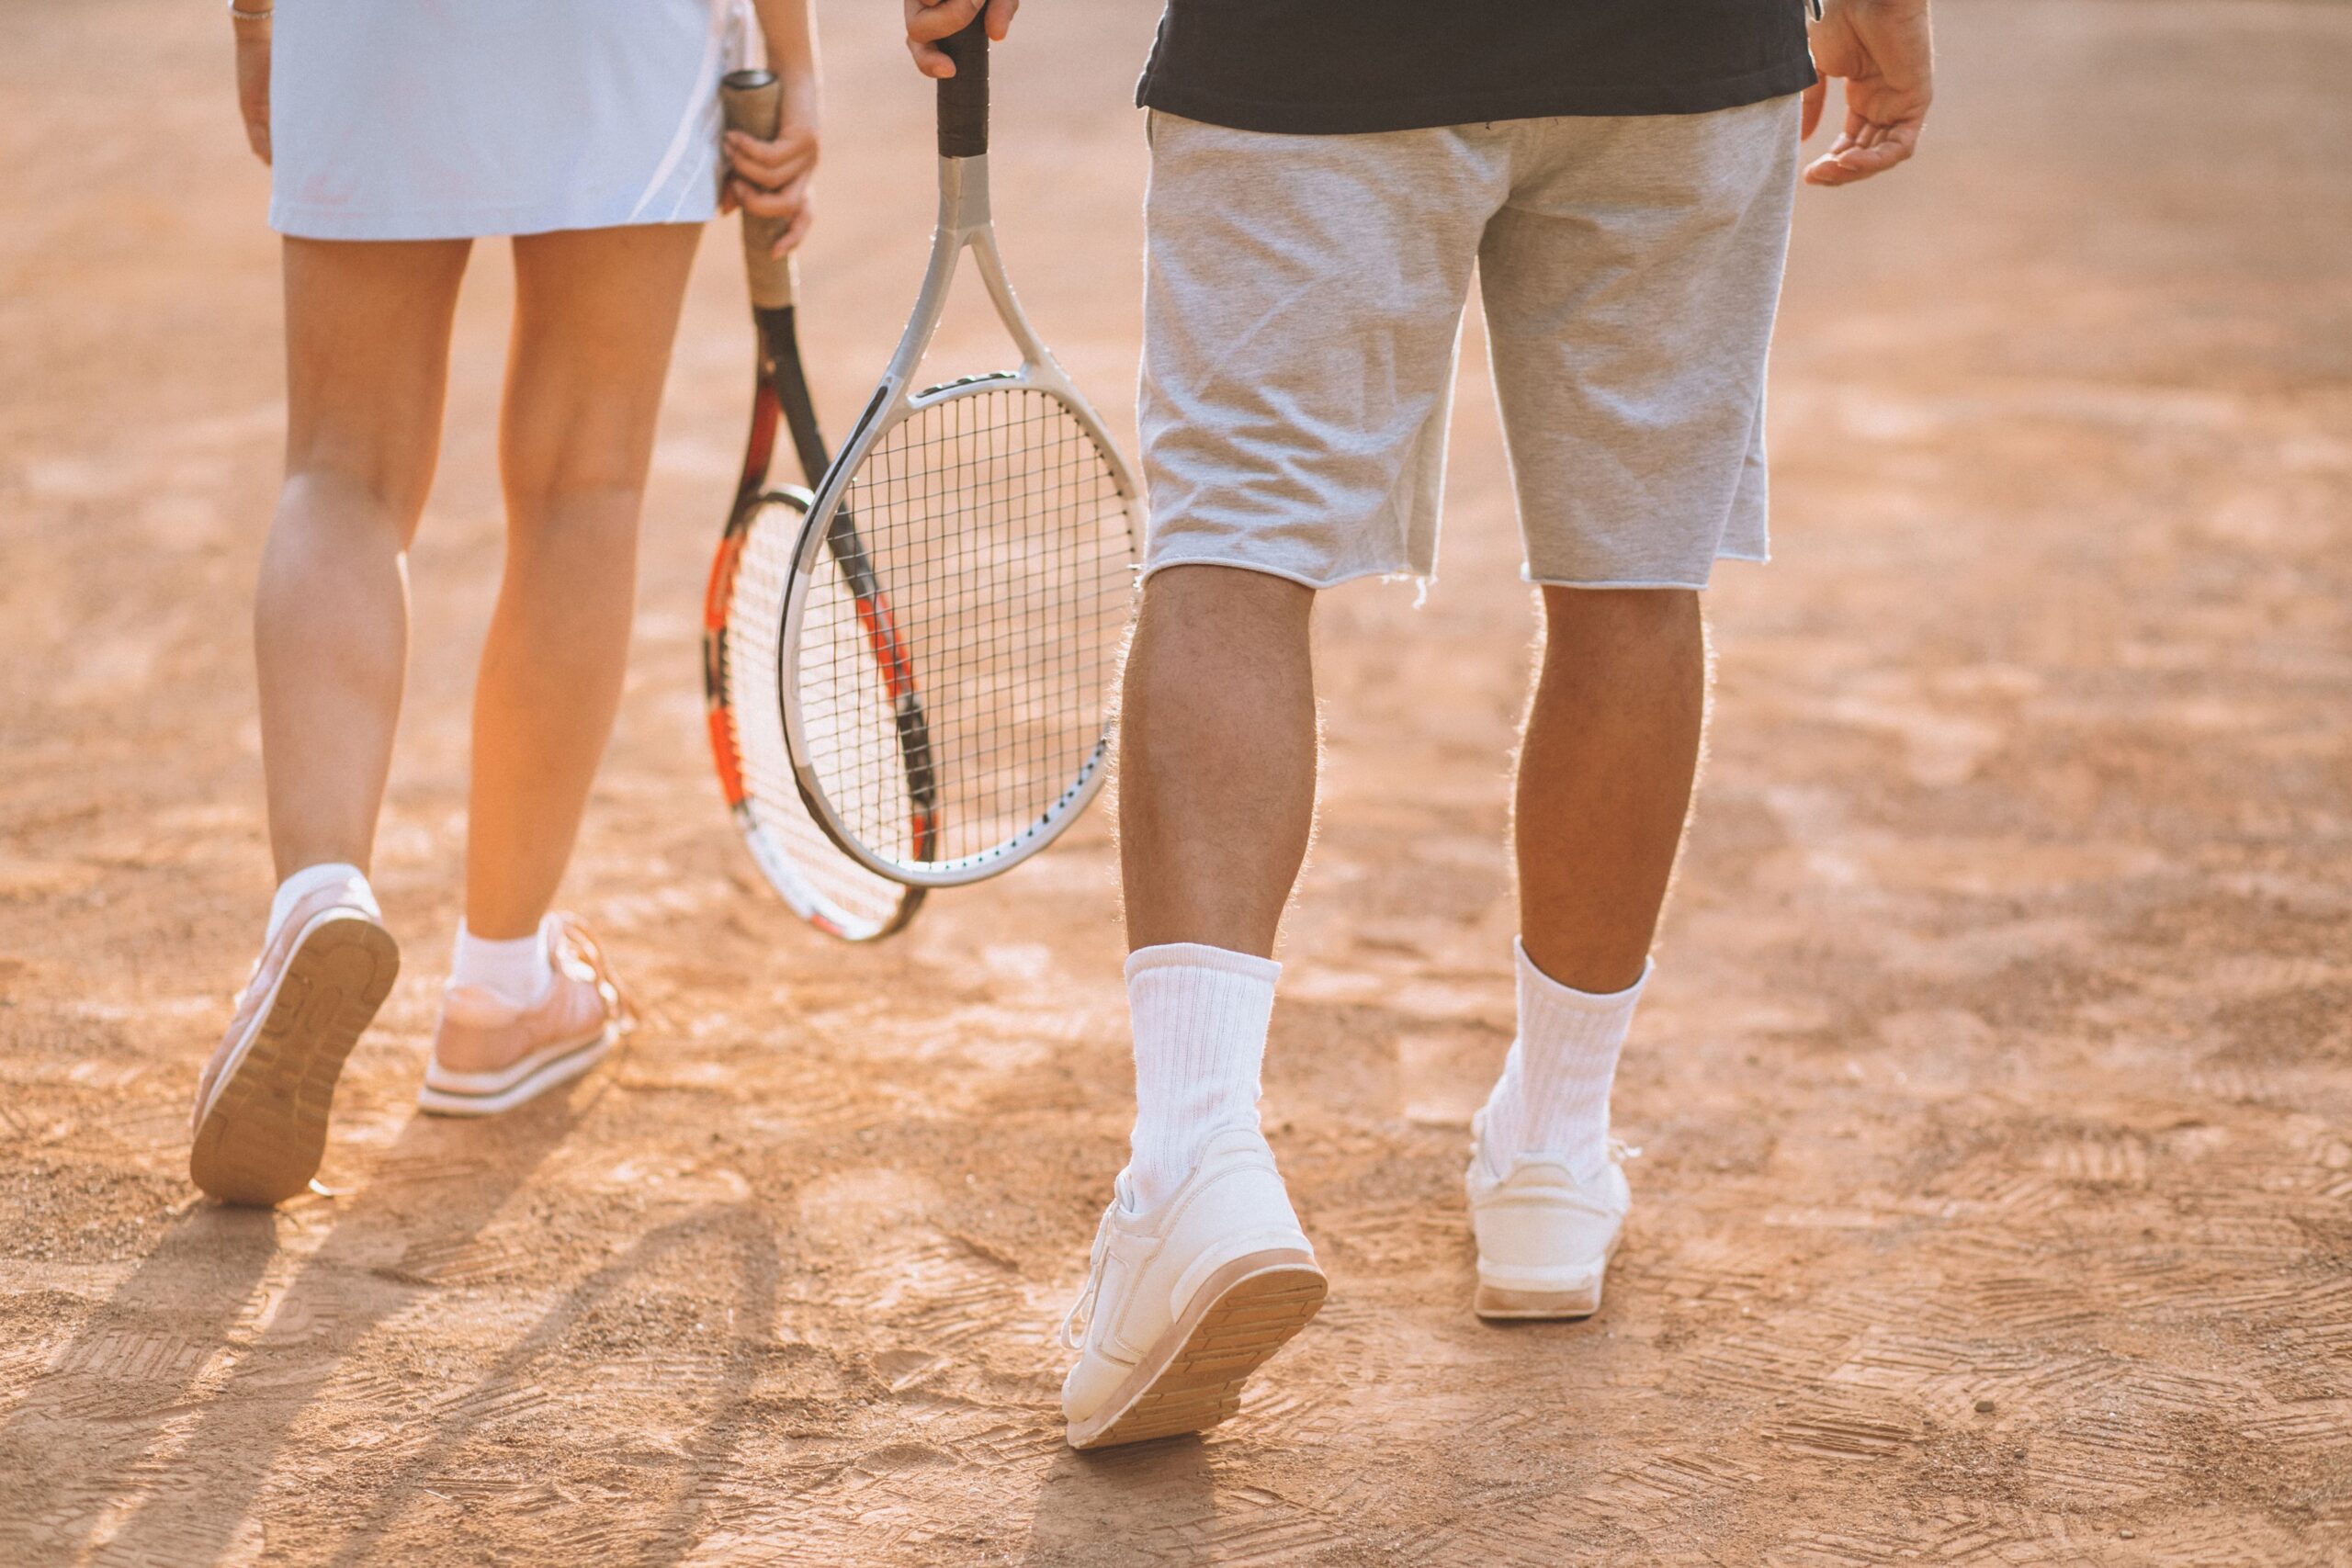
{"points": [[1189, 1301]]}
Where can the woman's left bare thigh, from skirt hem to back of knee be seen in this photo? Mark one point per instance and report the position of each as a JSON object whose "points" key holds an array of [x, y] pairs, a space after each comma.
{"points": [[368, 361]]}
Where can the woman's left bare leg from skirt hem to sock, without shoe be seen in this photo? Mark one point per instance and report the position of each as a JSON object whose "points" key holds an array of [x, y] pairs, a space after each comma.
{"points": [[368, 361]]}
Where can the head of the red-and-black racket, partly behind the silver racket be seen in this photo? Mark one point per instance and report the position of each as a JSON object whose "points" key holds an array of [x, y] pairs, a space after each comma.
{"points": [[742, 624]]}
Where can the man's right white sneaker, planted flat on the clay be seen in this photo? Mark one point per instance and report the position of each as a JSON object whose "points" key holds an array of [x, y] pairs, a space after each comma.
{"points": [[1544, 1238]]}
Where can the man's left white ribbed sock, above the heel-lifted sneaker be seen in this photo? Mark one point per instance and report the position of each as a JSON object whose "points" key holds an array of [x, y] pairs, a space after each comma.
{"points": [[1201, 1033]]}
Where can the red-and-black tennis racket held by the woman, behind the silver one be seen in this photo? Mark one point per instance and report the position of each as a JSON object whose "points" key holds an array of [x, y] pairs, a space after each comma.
{"points": [[744, 615]]}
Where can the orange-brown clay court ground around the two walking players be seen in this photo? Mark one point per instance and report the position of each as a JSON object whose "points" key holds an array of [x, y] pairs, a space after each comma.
{"points": [[1996, 1094]]}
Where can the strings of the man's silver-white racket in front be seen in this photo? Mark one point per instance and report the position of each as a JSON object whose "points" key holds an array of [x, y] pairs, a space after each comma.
{"points": [[1003, 570]]}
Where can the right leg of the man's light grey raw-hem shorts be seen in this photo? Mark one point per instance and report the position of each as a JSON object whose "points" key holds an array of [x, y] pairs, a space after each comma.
{"points": [[1631, 288]]}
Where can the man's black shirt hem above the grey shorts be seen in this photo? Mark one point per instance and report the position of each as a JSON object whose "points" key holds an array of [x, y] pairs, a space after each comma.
{"points": [[1325, 67]]}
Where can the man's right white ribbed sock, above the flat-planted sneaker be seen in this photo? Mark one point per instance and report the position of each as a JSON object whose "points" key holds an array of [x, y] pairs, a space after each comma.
{"points": [[1553, 1097]]}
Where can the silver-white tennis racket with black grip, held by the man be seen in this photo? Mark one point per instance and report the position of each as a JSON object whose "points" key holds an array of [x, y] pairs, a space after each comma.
{"points": [[998, 549]]}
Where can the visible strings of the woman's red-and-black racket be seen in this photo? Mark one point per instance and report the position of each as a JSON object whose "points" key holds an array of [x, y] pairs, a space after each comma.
{"points": [[796, 855]]}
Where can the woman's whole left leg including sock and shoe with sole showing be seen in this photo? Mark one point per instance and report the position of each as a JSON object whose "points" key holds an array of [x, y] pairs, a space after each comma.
{"points": [[368, 344]]}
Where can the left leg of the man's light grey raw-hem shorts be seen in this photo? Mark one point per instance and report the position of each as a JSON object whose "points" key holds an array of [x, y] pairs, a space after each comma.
{"points": [[1302, 307]]}
